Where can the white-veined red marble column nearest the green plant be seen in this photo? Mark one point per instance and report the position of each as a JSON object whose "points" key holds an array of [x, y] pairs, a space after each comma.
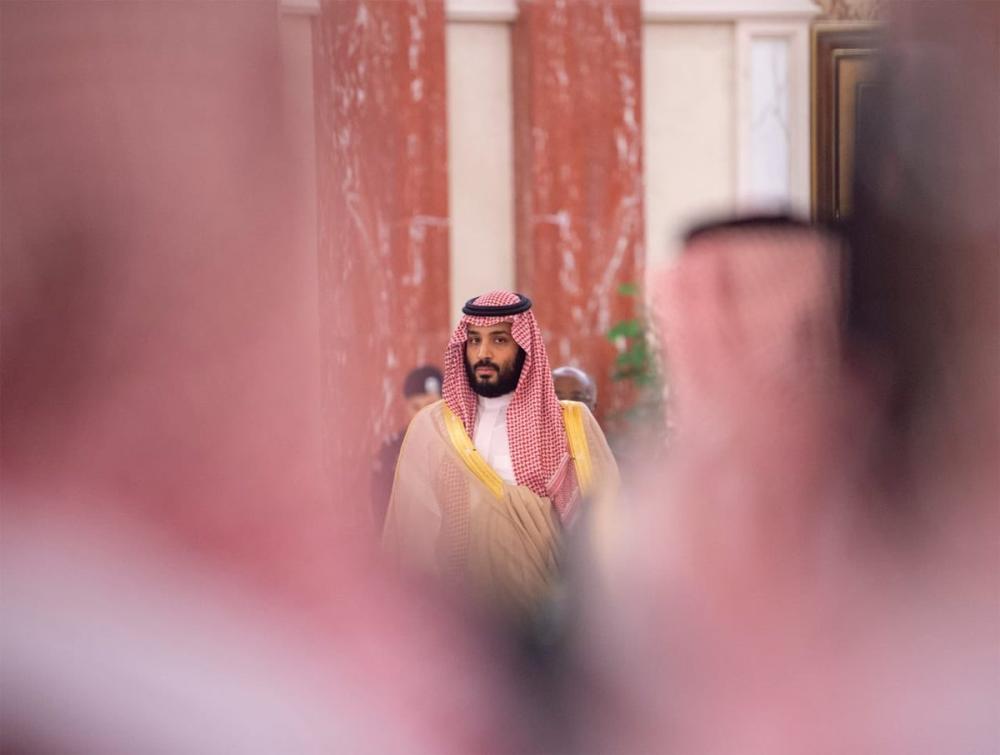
{"points": [[578, 174]]}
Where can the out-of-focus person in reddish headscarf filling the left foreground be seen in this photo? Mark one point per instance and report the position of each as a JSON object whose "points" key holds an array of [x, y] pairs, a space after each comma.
{"points": [[175, 578]]}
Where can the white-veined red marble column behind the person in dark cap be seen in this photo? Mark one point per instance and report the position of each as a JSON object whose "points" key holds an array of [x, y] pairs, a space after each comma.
{"points": [[383, 219]]}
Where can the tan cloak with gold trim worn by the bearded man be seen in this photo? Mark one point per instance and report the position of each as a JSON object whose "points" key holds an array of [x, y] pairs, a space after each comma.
{"points": [[452, 517]]}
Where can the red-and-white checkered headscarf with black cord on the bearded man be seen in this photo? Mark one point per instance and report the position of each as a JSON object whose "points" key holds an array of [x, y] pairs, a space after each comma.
{"points": [[535, 431]]}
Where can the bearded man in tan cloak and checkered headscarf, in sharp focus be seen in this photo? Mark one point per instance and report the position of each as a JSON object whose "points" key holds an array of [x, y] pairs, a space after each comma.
{"points": [[488, 477]]}
